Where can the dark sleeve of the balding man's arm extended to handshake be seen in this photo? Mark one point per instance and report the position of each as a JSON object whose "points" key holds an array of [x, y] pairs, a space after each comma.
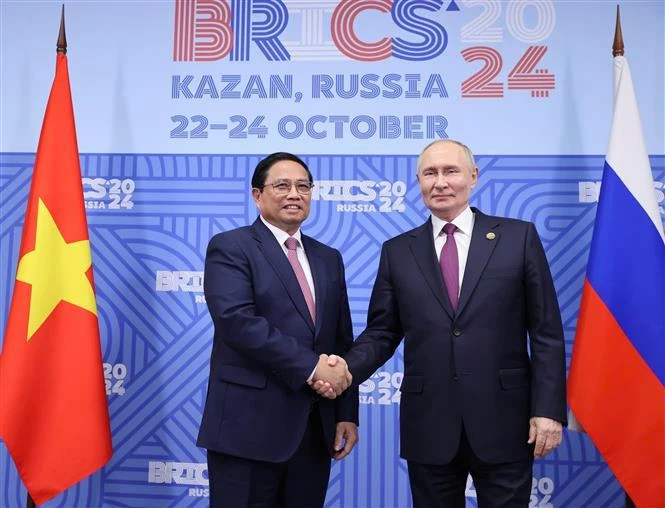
{"points": [[383, 334]]}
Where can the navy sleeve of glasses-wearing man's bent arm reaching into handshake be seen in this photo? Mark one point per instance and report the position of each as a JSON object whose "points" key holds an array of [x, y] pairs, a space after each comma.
{"points": [[229, 294]]}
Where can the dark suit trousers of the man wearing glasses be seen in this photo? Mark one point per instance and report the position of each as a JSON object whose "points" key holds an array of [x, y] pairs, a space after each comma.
{"points": [[300, 482]]}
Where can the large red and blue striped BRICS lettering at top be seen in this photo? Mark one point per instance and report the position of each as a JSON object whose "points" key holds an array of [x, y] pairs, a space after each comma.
{"points": [[210, 30]]}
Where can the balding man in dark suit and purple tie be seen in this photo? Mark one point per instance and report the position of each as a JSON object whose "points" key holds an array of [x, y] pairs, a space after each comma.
{"points": [[465, 291]]}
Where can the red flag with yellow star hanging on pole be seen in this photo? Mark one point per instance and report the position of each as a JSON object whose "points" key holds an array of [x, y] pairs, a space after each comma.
{"points": [[53, 410]]}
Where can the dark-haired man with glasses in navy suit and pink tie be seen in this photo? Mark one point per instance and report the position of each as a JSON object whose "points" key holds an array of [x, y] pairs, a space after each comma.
{"points": [[279, 306]]}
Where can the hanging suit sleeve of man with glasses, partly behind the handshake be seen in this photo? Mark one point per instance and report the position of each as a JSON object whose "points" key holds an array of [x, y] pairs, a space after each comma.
{"points": [[347, 404]]}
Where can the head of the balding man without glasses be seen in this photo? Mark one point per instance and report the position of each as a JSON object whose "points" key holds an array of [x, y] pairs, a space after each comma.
{"points": [[446, 178]]}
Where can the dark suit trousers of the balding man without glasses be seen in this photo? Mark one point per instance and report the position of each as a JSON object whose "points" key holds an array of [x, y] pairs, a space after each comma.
{"points": [[505, 485]]}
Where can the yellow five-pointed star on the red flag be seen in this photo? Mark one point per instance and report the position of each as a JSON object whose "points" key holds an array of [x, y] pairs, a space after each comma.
{"points": [[56, 270]]}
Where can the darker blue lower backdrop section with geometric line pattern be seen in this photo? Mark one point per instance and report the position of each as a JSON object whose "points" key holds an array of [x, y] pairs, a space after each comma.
{"points": [[151, 214]]}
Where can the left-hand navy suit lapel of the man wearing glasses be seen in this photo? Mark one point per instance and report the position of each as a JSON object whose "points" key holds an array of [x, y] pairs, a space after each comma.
{"points": [[276, 258]]}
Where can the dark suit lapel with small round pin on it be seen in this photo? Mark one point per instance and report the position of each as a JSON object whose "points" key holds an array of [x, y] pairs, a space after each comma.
{"points": [[480, 250]]}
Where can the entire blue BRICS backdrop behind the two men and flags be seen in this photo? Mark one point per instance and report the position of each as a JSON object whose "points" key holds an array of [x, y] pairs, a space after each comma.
{"points": [[171, 123]]}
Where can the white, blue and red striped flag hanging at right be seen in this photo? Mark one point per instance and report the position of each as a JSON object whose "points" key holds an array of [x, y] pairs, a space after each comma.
{"points": [[616, 386]]}
